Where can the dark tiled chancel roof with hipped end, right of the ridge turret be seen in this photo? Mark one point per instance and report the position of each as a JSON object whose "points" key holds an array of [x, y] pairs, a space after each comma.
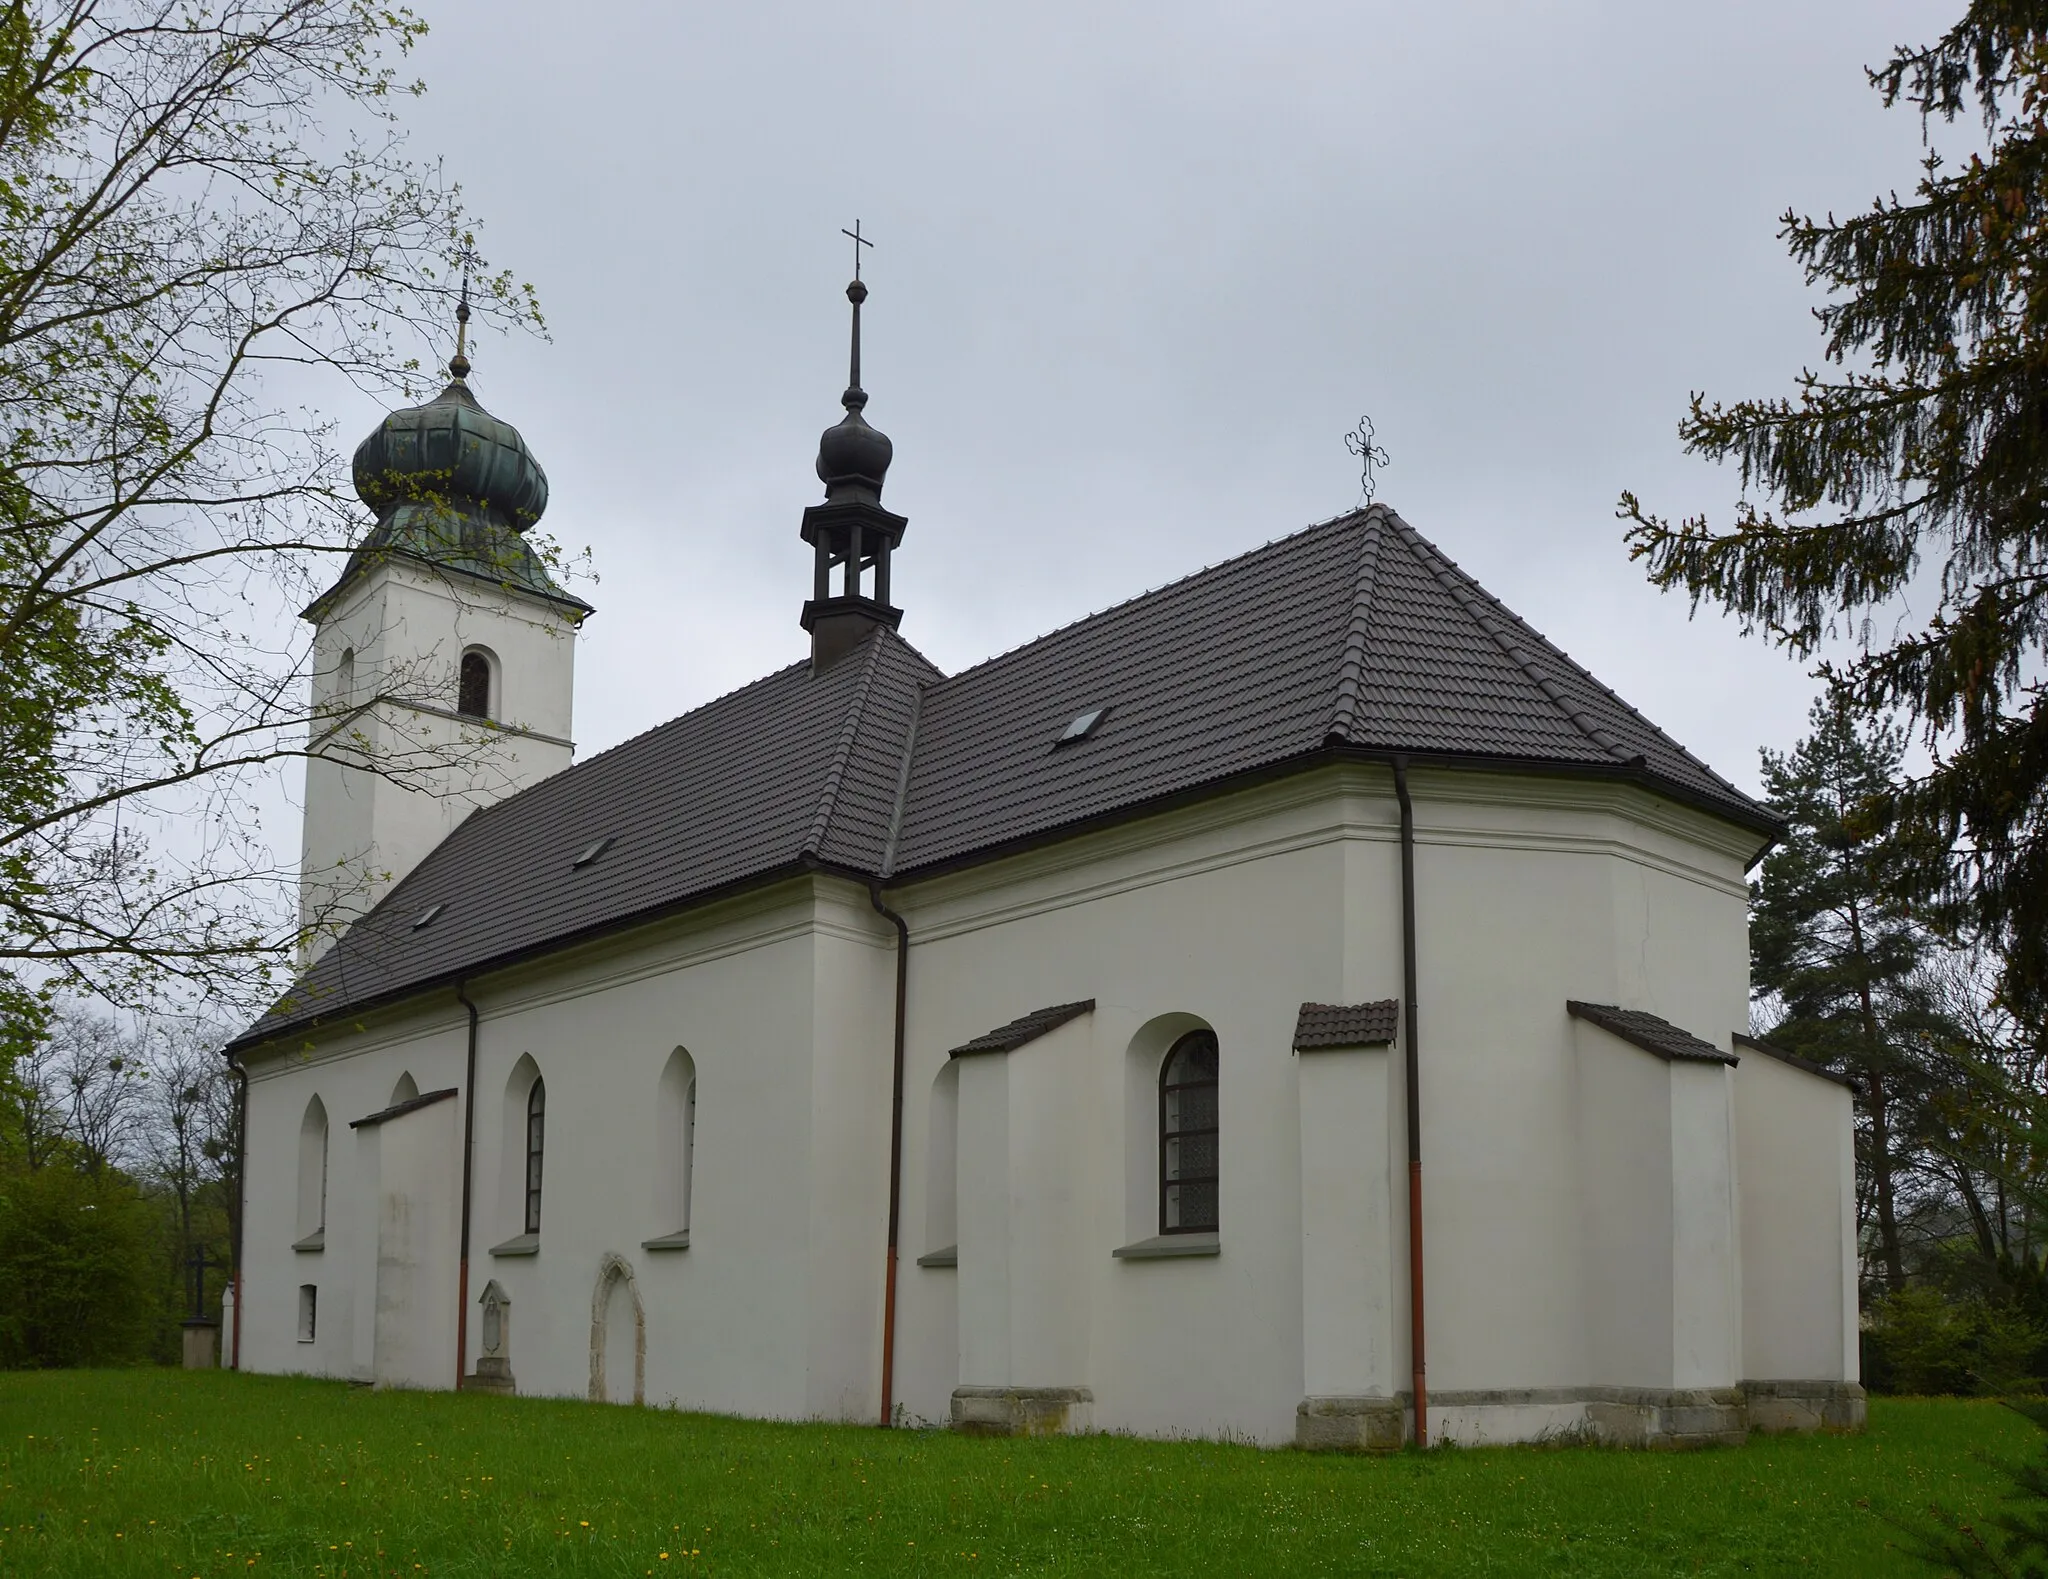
{"points": [[1351, 634]]}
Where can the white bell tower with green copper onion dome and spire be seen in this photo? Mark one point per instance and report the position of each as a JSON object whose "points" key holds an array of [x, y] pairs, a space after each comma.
{"points": [[443, 654]]}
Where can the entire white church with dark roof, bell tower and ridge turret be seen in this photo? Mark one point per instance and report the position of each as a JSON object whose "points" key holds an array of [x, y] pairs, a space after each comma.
{"points": [[1283, 998]]}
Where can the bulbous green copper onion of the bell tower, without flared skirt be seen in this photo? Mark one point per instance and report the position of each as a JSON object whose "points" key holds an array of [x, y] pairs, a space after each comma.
{"points": [[456, 458]]}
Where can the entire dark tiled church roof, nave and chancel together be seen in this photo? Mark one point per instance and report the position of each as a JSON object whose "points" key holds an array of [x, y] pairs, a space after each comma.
{"points": [[1349, 636]]}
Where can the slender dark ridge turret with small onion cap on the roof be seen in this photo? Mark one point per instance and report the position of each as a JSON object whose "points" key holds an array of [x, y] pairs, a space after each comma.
{"points": [[851, 536]]}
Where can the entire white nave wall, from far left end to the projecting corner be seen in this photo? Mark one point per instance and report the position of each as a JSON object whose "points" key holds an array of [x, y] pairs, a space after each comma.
{"points": [[783, 1002]]}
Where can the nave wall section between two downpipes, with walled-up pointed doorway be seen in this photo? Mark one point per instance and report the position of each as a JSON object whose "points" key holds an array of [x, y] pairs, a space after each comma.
{"points": [[773, 1308]]}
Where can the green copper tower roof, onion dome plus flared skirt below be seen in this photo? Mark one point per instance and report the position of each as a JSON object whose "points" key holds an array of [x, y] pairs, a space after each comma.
{"points": [[454, 488]]}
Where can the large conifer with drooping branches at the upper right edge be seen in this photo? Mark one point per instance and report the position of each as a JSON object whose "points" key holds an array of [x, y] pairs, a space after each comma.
{"points": [[1920, 462]]}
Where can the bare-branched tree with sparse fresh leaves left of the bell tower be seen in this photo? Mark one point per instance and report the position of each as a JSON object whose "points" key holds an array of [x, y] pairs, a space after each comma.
{"points": [[204, 212]]}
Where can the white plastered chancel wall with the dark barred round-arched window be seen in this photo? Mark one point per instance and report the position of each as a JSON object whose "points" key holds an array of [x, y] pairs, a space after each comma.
{"points": [[1234, 914]]}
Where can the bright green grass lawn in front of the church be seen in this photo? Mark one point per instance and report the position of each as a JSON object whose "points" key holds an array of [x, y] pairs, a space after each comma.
{"points": [[171, 1474]]}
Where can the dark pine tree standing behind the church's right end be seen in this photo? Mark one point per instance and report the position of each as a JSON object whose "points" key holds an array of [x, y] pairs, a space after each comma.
{"points": [[1836, 957]]}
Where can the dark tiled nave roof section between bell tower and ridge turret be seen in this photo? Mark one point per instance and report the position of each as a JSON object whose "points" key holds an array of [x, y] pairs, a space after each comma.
{"points": [[792, 769]]}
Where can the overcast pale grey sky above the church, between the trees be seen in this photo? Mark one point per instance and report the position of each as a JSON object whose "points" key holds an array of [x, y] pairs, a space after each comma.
{"points": [[1138, 271]]}
